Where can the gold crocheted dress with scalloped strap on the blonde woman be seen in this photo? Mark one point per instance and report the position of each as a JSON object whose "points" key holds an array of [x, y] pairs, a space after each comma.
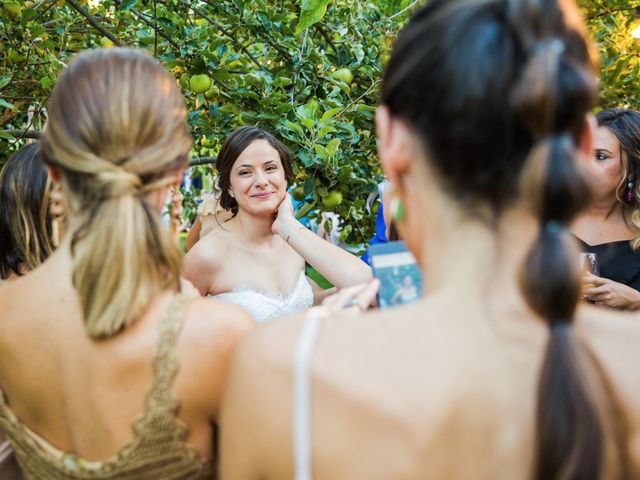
{"points": [[158, 449]]}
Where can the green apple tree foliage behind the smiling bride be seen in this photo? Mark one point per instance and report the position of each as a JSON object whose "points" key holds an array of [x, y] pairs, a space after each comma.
{"points": [[271, 63]]}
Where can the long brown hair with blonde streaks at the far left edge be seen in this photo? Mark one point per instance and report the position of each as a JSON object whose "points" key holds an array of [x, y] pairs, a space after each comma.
{"points": [[25, 222]]}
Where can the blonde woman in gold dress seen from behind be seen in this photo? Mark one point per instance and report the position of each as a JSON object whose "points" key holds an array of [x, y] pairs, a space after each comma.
{"points": [[115, 373]]}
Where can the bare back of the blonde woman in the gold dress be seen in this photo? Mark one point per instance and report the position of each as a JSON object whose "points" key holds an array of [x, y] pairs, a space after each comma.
{"points": [[83, 397]]}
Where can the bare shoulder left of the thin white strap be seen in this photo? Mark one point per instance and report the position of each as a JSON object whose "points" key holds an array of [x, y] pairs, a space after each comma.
{"points": [[258, 392]]}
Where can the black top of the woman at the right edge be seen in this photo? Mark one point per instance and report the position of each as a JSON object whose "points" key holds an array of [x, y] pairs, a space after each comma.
{"points": [[618, 262]]}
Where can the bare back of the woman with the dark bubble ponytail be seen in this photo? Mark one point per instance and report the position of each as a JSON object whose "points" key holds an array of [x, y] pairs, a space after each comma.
{"points": [[402, 394]]}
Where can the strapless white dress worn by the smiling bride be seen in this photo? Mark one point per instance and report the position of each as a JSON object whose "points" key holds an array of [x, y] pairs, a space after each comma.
{"points": [[264, 306]]}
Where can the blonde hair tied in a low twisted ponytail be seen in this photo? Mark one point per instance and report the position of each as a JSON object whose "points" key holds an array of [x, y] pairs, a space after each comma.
{"points": [[117, 131]]}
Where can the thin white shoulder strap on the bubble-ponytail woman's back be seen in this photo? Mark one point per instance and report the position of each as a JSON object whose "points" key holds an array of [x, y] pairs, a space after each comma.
{"points": [[302, 393]]}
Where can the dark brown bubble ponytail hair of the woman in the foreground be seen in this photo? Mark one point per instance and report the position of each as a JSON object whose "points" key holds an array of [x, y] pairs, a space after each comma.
{"points": [[498, 92]]}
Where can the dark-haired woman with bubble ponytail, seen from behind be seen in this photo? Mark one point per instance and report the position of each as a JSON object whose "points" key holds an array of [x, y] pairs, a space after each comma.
{"points": [[499, 372]]}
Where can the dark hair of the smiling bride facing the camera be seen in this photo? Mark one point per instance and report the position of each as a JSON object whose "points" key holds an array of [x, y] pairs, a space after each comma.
{"points": [[234, 144]]}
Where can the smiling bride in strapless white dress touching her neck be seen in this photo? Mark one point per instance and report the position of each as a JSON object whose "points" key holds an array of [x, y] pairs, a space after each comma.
{"points": [[257, 258]]}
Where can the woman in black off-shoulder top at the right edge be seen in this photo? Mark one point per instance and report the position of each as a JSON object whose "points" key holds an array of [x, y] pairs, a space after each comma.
{"points": [[610, 227]]}
